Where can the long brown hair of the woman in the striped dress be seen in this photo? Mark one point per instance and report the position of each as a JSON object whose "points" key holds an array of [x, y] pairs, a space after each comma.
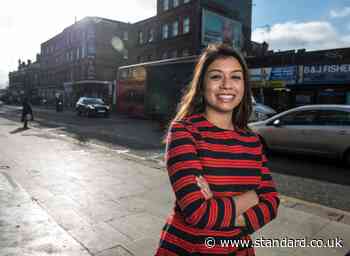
{"points": [[193, 101]]}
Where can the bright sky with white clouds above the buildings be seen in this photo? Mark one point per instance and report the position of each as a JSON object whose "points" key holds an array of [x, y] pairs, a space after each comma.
{"points": [[283, 24]]}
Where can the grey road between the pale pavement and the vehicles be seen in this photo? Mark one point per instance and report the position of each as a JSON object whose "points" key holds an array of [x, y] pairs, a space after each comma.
{"points": [[312, 179]]}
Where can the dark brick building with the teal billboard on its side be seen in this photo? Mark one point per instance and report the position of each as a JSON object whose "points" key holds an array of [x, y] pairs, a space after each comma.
{"points": [[184, 27]]}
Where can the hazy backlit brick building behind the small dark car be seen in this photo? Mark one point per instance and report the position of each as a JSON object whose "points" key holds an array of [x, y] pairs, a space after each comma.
{"points": [[82, 60]]}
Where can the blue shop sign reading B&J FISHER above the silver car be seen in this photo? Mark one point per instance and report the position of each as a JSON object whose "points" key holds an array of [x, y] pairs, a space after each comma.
{"points": [[325, 74]]}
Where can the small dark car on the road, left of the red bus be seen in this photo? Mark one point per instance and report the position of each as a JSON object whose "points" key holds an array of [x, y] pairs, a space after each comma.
{"points": [[91, 107]]}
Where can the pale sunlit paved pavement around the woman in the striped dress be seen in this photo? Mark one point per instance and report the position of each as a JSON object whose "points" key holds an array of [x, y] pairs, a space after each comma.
{"points": [[80, 208]]}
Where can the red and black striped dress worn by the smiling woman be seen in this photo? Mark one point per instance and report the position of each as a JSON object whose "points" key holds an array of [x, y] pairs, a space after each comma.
{"points": [[232, 162]]}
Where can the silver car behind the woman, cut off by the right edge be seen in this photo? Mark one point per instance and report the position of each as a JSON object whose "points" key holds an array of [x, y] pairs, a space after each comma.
{"points": [[313, 129]]}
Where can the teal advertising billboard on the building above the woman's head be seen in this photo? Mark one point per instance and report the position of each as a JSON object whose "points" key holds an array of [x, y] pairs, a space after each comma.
{"points": [[218, 29]]}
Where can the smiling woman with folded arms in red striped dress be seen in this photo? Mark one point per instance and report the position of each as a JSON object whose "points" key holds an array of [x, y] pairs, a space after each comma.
{"points": [[217, 169]]}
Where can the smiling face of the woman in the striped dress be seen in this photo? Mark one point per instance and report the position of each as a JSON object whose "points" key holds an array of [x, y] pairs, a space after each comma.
{"points": [[223, 85]]}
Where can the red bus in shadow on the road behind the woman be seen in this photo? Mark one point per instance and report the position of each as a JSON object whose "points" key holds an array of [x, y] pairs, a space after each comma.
{"points": [[152, 89]]}
